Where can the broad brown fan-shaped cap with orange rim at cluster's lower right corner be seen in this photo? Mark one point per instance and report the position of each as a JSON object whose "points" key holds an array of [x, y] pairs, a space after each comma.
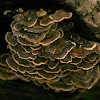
{"points": [[85, 79]]}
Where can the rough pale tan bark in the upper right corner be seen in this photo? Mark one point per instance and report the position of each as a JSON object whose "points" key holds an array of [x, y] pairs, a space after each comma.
{"points": [[89, 11]]}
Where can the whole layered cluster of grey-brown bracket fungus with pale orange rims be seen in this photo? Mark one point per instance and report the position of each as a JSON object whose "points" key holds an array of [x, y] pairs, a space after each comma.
{"points": [[40, 53]]}
